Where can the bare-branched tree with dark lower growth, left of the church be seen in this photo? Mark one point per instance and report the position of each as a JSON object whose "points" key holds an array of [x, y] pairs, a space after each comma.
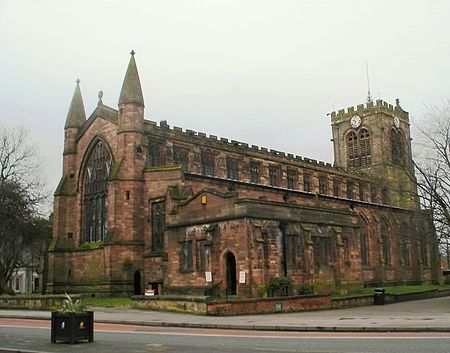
{"points": [[23, 230]]}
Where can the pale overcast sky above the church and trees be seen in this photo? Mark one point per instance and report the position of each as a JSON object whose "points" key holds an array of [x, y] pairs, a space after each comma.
{"points": [[262, 72]]}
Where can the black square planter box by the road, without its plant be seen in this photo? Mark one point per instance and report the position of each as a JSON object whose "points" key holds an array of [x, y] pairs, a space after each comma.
{"points": [[72, 327]]}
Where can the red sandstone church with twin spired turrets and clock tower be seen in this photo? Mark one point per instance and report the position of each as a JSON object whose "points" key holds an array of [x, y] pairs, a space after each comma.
{"points": [[142, 203]]}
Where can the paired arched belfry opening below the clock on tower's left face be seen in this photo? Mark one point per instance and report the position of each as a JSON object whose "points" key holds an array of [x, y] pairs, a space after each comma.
{"points": [[358, 149]]}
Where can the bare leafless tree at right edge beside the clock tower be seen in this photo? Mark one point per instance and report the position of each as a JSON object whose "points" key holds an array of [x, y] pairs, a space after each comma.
{"points": [[433, 166]]}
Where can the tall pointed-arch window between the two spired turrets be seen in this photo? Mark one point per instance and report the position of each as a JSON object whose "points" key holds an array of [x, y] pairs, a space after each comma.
{"points": [[95, 197]]}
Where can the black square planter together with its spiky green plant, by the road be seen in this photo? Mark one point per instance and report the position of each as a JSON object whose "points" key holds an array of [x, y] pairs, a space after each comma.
{"points": [[72, 322]]}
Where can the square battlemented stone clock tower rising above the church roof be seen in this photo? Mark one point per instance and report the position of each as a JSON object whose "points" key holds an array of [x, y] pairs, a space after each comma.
{"points": [[375, 139]]}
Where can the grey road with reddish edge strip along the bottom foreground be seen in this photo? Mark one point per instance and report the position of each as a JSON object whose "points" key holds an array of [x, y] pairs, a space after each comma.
{"points": [[17, 335]]}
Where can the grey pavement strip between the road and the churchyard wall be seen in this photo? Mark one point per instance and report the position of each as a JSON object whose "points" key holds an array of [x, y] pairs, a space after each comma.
{"points": [[414, 316]]}
